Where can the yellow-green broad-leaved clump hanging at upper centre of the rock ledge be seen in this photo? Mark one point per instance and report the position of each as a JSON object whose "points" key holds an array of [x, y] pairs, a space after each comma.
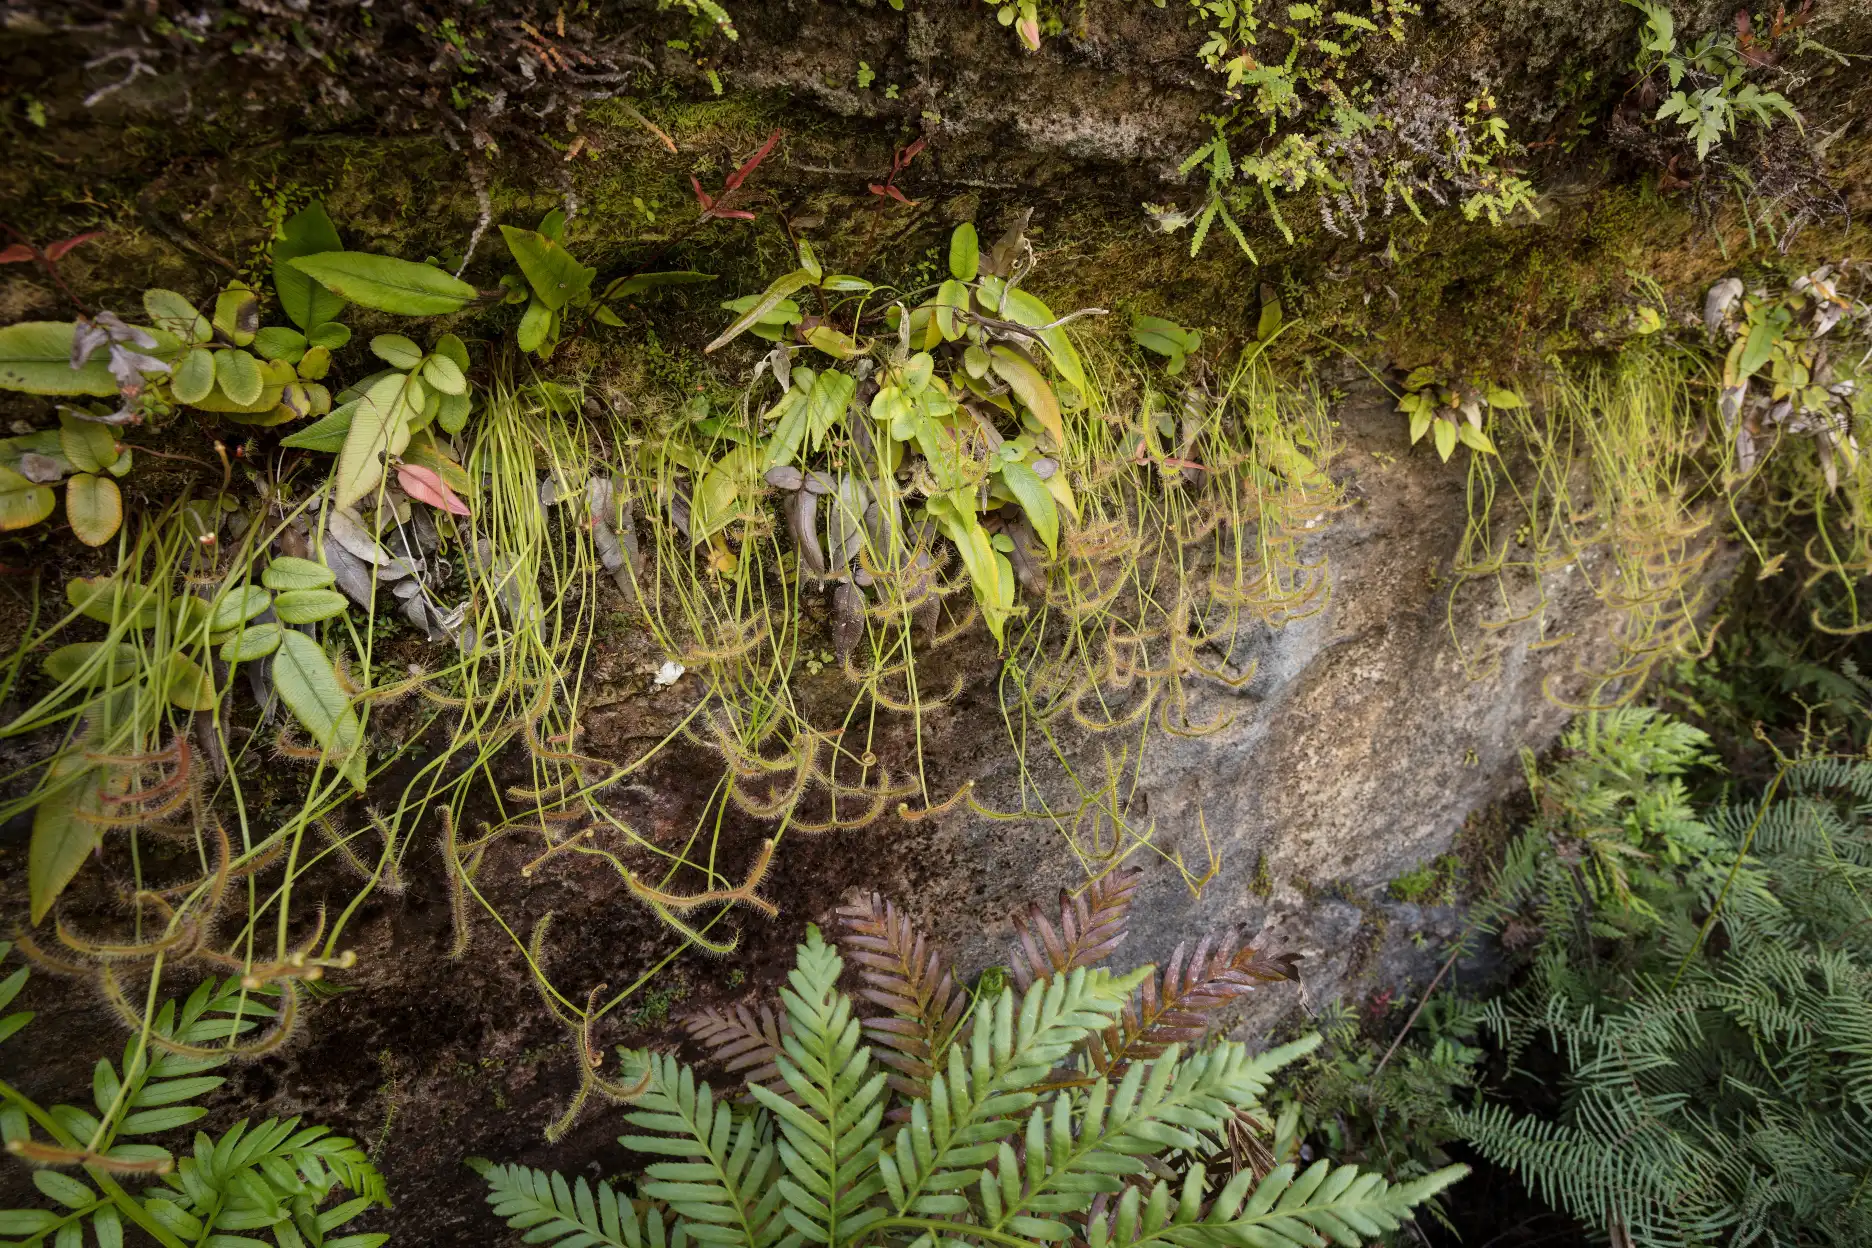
{"points": [[965, 422]]}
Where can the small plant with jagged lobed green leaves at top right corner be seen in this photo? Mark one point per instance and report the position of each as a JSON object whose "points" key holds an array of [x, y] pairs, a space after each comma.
{"points": [[1708, 81]]}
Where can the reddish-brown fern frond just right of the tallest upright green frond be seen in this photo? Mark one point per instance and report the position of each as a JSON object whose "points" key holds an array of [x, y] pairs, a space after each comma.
{"points": [[911, 980]]}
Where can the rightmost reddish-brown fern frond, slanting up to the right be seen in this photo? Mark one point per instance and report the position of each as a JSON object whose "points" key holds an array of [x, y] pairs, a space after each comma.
{"points": [[1175, 1011]]}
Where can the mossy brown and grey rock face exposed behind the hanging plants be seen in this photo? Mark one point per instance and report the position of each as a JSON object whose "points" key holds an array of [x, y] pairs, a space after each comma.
{"points": [[1379, 733]]}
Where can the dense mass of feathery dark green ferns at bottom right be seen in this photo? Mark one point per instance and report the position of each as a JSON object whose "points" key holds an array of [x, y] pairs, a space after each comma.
{"points": [[1710, 1013]]}
